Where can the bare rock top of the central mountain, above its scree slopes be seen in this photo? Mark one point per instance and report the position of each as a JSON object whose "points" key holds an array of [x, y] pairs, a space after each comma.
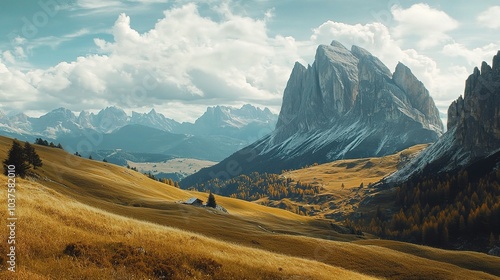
{"points": [[329, 91]]}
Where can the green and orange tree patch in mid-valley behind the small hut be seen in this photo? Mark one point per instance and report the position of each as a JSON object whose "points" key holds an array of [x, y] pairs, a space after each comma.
{"points": [[257, 185]]}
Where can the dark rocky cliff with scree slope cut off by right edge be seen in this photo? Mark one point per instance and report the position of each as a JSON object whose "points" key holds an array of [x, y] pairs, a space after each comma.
{"points": [[473, 128]]}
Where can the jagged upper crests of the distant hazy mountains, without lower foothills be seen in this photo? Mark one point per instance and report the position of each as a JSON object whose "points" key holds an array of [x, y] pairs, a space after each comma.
{"points": [[62, 121]]}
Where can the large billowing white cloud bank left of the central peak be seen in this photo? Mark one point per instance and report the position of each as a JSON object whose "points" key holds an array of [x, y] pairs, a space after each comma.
{"points": [[185, 58]]}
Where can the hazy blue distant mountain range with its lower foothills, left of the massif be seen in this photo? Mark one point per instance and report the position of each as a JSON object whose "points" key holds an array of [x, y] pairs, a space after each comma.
{"points": [[219, 132]]}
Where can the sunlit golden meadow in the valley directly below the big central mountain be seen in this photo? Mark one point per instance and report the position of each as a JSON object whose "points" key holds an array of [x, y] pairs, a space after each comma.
{"points": [[335, 201]]}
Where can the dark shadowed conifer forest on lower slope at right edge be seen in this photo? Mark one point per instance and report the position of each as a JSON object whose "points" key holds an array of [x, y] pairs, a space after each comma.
{"points": [[436, 211]]}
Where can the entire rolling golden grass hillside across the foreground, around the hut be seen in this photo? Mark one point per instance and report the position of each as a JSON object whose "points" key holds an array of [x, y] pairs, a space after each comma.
{"points": [[84, 219]]}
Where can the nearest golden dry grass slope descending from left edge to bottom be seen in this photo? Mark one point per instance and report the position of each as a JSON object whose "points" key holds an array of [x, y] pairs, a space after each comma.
{"points": [[114, 247]]}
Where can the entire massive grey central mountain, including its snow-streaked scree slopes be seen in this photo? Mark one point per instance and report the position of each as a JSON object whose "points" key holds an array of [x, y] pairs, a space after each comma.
{"points": [[348, 104]]}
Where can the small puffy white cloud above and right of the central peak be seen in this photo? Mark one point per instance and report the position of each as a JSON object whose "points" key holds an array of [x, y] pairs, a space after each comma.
{"points": [[428, 25]]}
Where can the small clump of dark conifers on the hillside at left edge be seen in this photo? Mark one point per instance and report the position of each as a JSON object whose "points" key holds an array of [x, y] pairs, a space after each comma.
{"points": [[23, 158]]}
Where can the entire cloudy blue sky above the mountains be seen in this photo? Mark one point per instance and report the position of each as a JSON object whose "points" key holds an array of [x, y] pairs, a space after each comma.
{"points": [[180, 57]]}
